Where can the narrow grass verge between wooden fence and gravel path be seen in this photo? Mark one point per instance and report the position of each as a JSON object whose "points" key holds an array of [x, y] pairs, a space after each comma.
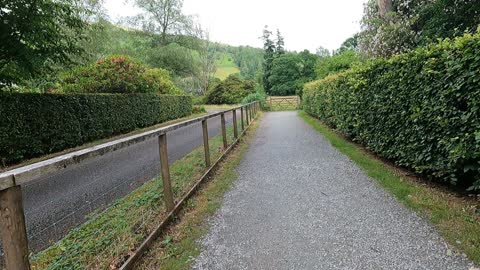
{"points": [[180, 244]]}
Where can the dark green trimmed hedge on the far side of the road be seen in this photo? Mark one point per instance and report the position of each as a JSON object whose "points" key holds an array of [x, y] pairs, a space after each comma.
{"points": [[37, 124]]}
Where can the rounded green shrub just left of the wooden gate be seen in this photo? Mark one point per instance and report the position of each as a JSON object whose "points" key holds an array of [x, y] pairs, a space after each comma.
{"points": [[230, 91]]}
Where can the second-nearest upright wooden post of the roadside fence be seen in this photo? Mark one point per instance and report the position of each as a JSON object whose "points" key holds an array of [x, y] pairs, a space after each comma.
{"points": [[167, 185]]}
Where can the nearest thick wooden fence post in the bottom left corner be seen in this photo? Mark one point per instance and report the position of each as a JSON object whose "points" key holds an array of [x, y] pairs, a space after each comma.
{"points": [[13, 230]]}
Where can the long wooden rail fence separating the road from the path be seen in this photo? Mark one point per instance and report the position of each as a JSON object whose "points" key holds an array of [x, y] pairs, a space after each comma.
{"points": [[12, 217]]}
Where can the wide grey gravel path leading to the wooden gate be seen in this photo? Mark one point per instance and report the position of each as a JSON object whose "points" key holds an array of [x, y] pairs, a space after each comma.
{"points": [[300, 204]]}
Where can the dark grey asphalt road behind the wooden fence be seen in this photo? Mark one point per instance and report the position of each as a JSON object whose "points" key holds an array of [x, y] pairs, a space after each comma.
{"points": [[58, 202]]}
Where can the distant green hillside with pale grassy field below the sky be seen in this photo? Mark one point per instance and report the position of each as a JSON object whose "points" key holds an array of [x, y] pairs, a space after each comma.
{"points": [[180, 56]]}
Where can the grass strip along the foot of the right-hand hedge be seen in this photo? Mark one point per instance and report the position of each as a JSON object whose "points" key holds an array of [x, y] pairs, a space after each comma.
{"points": [[453, 216]]}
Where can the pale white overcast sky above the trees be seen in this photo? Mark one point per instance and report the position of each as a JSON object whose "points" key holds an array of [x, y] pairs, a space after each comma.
{"points": [[305, 24]]}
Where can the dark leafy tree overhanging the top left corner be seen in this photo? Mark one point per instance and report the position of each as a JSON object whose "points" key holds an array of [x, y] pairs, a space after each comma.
{"points": [[37, 35]]}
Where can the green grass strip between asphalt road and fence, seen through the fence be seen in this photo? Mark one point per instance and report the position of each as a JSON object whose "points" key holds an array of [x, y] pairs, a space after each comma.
{"points": [[107, 238]]}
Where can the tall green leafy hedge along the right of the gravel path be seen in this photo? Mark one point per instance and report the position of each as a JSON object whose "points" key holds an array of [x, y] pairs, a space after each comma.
{"points": [[420, 109]]}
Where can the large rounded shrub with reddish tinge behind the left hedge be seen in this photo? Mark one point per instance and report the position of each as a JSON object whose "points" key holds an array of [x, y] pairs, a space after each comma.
{"points": [[118, 74]]}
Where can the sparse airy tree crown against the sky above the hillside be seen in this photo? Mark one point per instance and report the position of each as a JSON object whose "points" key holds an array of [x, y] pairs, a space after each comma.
{"points": [[162, 16]]}
